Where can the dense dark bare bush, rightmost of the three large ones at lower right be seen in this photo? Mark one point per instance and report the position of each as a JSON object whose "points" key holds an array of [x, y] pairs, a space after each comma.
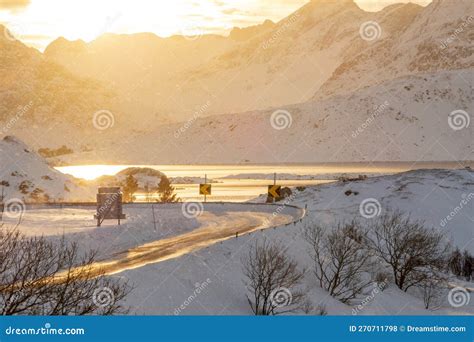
{"points": [[412, 251]]}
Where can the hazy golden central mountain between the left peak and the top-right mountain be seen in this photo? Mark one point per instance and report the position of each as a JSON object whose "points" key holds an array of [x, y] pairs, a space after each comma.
{"points": [[169, 78]]}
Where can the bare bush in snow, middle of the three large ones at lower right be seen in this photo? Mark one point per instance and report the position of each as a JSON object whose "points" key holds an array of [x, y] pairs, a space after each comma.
{"points": [[341, 262]]}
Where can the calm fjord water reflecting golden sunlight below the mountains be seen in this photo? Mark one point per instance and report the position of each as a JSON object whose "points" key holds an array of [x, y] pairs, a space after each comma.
{"points": [[238, 183]]}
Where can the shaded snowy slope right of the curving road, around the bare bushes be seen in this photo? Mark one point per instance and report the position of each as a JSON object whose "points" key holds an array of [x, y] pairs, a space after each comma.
{"points": [[430, 195]]}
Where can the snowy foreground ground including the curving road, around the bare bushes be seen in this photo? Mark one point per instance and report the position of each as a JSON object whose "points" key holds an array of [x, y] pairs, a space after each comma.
{"points": [[192, 266]]}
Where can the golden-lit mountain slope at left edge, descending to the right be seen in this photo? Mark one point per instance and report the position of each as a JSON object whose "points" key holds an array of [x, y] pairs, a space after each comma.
{"points": [[34, 90]]}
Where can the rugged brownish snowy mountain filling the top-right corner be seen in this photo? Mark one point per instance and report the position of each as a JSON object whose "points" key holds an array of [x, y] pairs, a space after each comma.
{"points": [[411, 41]]}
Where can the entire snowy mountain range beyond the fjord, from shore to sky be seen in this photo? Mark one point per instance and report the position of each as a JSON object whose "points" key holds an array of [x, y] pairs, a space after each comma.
{"points": [[356, 86]]}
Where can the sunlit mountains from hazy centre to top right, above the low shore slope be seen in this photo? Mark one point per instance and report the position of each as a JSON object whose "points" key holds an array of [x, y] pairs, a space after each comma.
{"points": [[320, 50]]}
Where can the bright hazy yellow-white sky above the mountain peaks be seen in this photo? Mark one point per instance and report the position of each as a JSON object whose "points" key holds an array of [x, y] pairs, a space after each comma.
{"points": [[37, 22]]}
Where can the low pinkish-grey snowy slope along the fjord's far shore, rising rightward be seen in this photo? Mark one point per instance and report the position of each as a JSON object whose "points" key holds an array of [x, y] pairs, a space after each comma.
{"points": [[406, 119]]}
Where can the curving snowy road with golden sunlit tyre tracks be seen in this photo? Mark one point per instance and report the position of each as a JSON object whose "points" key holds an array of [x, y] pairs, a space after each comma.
{"points": [[214, 227]]}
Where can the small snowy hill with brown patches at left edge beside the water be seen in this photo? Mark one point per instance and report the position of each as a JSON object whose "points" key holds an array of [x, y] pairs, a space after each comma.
{"points": [[26, 176]]}
